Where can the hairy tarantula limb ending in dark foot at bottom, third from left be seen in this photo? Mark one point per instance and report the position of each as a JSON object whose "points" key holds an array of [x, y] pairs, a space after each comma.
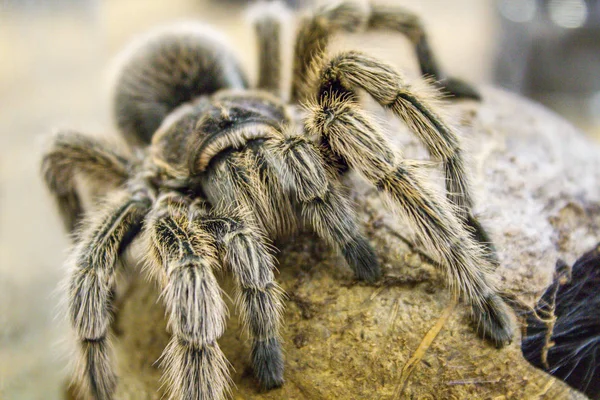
{"points": [[244, 251]]}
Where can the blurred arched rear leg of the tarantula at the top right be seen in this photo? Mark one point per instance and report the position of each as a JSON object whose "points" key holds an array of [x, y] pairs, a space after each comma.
{"points": [[358, 16]]}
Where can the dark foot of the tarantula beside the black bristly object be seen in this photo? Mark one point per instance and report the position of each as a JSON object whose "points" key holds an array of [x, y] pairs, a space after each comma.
{"points": [[493, 321]]}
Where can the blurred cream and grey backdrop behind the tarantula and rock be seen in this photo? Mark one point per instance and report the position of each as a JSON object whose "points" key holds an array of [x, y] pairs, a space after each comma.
{"points": [[55, 63]]}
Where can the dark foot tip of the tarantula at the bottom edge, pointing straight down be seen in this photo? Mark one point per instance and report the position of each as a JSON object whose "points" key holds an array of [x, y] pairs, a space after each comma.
{"points": [[267, 360]]}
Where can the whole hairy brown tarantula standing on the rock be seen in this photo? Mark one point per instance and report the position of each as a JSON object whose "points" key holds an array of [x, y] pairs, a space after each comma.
{"points": [[218, 168]]}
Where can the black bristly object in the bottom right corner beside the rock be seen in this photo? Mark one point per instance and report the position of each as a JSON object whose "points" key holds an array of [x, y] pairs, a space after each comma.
{"points": [[566, 342]]}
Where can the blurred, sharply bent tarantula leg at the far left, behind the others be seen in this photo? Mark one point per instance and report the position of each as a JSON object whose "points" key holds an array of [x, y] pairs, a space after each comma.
{"points": [[72, 153]]}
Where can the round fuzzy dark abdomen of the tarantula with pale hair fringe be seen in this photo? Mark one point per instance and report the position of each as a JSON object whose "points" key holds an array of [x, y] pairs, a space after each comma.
{"points": [[167, 70]]}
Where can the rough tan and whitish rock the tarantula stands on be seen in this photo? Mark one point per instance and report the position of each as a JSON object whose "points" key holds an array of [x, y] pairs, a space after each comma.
{"points": [[536, 180]]}
